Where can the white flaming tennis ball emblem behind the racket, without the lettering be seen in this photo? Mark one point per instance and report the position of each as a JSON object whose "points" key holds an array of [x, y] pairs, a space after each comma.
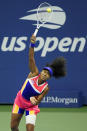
{"points": [[56, 21]]}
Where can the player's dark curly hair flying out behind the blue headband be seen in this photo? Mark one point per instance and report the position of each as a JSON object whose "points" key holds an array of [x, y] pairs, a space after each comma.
{"points": [[58, 67]]}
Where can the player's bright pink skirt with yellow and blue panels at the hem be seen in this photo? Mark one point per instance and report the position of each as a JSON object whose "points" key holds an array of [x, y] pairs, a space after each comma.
{"points": [[21, 105]]}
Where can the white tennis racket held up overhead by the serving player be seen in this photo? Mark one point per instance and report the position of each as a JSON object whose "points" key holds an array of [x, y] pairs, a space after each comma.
{"points": [[44, 13]]}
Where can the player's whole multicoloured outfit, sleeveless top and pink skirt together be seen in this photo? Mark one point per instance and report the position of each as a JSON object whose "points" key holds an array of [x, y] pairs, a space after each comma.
{"points": [[22, 101]]}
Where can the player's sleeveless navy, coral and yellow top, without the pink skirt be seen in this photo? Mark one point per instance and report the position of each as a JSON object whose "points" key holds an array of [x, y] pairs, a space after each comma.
{"points": [[31, 87]]}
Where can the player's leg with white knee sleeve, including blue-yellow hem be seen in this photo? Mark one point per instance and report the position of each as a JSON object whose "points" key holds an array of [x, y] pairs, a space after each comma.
{"points": [[30, 120]]}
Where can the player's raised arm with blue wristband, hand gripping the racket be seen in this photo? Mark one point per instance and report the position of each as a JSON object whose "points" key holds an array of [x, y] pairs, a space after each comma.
{"points": [[32, 64]]}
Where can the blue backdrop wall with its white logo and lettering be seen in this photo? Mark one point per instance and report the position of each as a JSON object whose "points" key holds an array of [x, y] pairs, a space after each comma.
{"points": [[65, 35]]}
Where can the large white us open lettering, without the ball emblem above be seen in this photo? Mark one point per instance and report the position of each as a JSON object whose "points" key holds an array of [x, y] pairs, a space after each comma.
{"points": [[51, 44]]}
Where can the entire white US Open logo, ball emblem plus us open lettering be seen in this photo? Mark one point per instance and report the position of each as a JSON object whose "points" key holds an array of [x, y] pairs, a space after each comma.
{"points": [[64, 44]]}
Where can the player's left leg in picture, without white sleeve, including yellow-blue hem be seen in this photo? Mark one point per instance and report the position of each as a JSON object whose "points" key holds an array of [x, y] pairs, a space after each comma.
{"points": [[16, 116]]}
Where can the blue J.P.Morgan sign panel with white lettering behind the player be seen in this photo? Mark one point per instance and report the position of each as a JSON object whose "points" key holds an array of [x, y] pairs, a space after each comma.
{"points": [[62, 99]]}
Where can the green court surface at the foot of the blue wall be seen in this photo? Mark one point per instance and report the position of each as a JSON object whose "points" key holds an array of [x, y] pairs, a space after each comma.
{"points": [[49, 119]]}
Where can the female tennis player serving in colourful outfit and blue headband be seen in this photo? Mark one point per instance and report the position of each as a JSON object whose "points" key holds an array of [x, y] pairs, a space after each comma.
{"points": [[34, 89]]}
